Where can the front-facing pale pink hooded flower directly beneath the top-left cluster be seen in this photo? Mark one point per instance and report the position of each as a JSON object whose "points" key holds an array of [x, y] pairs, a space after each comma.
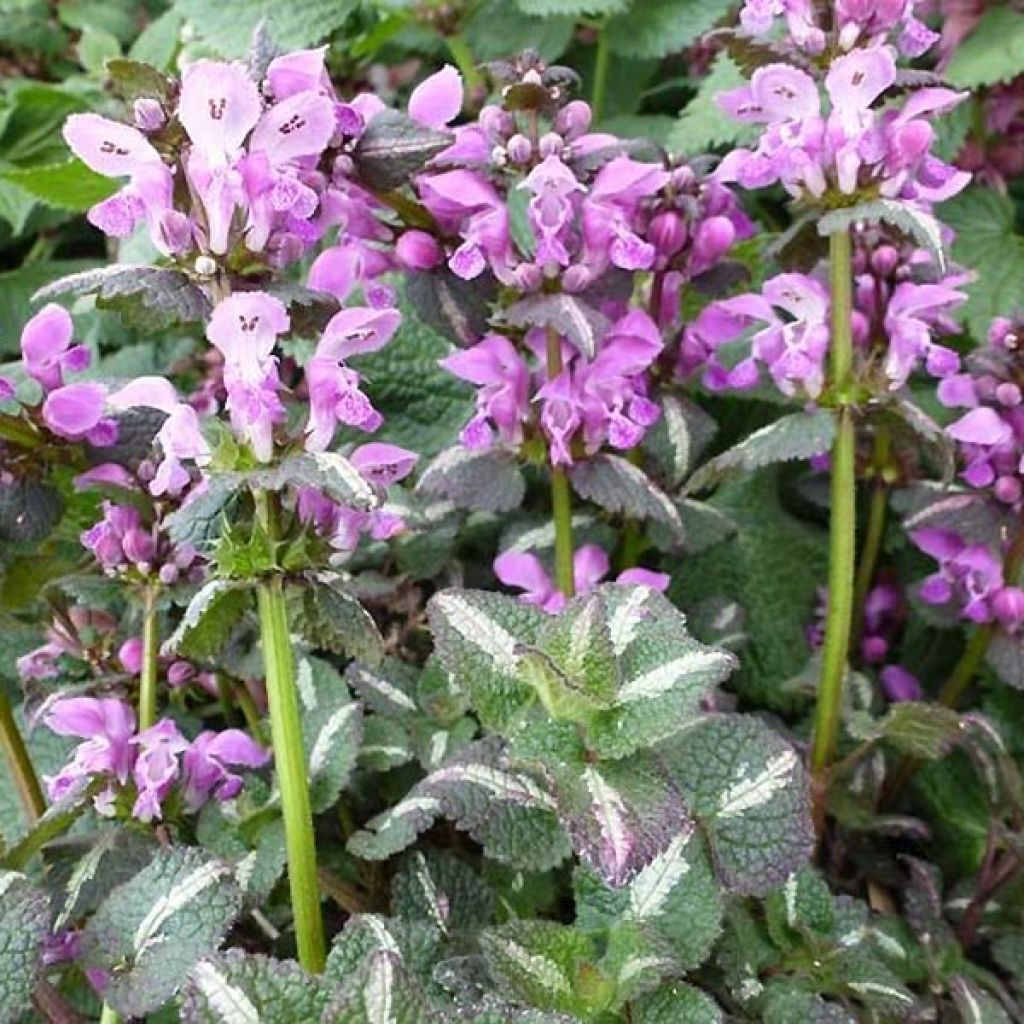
{"points": [[245, 328]]}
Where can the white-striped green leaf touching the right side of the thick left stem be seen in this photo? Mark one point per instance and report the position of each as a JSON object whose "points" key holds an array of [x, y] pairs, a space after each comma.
{"points": [[332, 732]]}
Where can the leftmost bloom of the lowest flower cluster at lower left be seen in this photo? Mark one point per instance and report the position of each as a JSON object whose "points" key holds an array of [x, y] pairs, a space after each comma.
{"points": [[107, 726]]}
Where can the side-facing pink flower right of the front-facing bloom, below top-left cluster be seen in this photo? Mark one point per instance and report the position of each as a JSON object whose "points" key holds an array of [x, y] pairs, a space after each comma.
{"points": [[335, 396]]}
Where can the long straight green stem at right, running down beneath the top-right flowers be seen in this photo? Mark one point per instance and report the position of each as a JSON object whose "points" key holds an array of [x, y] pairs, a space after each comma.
{"points": [[843, 538]]}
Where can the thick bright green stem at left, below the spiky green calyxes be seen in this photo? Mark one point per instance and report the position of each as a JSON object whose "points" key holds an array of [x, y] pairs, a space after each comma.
{"points": [[290, 763]]}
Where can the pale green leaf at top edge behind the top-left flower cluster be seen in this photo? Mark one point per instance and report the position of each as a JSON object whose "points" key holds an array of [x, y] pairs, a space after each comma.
{"points": [[229, 26]]}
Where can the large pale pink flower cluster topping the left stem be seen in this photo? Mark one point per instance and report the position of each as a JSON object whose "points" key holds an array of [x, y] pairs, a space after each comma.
{"points": [[264, 168]]}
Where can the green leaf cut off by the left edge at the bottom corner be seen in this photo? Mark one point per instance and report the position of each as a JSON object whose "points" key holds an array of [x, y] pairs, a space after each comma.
{"points": [[24, 926]]}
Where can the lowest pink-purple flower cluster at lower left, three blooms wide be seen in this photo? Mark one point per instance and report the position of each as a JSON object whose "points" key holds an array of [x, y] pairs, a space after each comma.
{"points": [[146, 767]]}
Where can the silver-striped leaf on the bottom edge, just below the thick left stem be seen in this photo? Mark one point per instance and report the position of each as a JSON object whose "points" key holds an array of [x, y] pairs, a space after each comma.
{"points": [[237, 987]]}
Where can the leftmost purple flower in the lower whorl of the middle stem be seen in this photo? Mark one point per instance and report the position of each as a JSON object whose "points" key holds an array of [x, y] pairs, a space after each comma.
{"points": [[503, 400]]}
